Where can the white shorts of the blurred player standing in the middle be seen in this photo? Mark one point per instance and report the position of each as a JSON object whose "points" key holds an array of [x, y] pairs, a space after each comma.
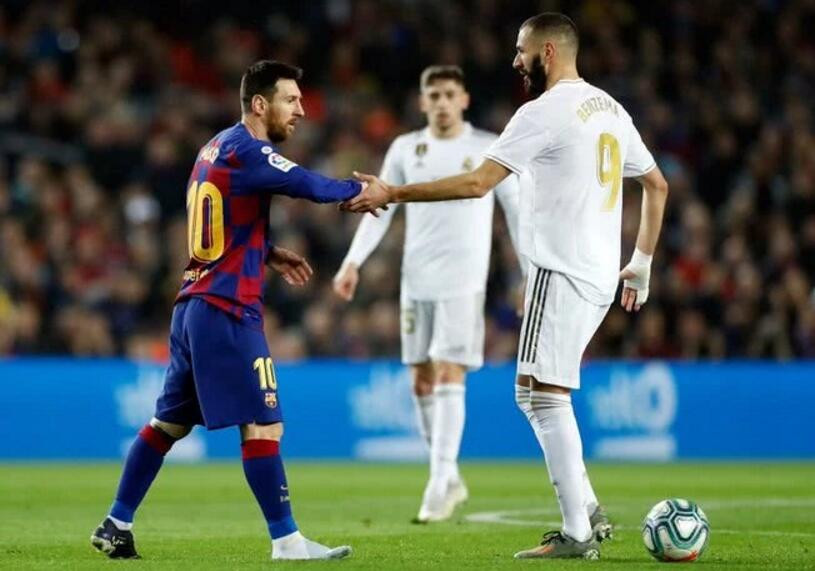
{"points": [[450, 330]]}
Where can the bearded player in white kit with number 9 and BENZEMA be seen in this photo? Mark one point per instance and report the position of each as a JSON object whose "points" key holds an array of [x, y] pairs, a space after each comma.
{"points": [[578, 143]]}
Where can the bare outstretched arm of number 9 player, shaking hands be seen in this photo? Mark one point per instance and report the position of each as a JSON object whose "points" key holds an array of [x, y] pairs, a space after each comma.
{"points": [[473, 184]]}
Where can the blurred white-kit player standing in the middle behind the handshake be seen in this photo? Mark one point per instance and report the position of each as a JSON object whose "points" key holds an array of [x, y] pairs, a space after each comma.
{"points": [[444, 273]]}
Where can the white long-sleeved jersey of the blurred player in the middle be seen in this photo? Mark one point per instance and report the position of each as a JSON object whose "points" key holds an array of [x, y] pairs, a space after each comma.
{"points": [[447, 244]]}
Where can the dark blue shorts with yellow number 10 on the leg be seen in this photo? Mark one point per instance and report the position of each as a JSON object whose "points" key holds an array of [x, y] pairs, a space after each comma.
{"points": [[220, 371]]}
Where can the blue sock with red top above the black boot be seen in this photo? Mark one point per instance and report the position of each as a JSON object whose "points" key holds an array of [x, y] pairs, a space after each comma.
{"points": [[141, 466]]}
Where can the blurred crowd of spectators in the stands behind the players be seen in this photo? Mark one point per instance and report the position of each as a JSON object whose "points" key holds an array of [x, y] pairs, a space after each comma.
{"points": [[103, 106]]}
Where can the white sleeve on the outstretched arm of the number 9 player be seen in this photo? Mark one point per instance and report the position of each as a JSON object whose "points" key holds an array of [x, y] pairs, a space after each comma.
{"points": [[524, 137]]}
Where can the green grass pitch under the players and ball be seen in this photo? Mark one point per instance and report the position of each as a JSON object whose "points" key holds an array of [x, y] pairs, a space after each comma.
{"points": [[204, 517]]}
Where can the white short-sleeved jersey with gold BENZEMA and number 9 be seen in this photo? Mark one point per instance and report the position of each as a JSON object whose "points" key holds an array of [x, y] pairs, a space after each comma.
{"points": [[577, 143]]}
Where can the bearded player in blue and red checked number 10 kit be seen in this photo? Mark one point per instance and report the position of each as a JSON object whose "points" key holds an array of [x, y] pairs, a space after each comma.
{"points": [[221, 372]]}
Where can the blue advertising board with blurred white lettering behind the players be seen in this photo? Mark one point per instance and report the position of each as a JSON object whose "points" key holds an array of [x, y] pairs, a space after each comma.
{"points": [[59, 409]]}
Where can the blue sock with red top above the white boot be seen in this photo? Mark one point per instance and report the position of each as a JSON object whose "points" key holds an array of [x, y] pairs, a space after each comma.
{"points": [[267, 478]]}
